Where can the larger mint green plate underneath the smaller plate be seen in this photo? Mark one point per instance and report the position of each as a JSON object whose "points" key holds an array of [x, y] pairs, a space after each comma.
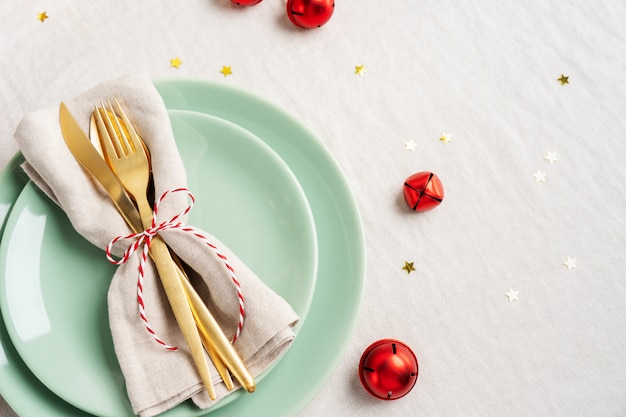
{"points": [[323, 338]]}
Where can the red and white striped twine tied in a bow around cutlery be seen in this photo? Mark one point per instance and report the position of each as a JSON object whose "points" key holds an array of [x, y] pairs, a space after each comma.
{"points": [[145, 238]]}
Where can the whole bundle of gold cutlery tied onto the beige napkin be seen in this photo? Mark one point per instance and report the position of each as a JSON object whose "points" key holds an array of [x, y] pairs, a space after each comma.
{"points": [[119, 160]]}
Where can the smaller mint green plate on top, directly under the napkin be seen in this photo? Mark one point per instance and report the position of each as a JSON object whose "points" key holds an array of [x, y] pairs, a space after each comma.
{"points": [[54, 285]]}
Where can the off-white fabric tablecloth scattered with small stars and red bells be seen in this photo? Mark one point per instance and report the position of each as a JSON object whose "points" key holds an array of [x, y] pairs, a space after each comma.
{"points": [[483, 72]]}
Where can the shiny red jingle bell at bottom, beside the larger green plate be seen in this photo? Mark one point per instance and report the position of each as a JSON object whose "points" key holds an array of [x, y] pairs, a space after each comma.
{"points": [[388, 369]]}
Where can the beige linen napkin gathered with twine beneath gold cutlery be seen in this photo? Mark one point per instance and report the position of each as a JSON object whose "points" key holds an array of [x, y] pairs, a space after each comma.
{"points": [[156, 379]]}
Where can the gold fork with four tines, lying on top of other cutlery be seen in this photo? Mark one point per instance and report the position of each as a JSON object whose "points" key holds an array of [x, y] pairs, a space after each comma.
{"points": [[129, 163]]}
